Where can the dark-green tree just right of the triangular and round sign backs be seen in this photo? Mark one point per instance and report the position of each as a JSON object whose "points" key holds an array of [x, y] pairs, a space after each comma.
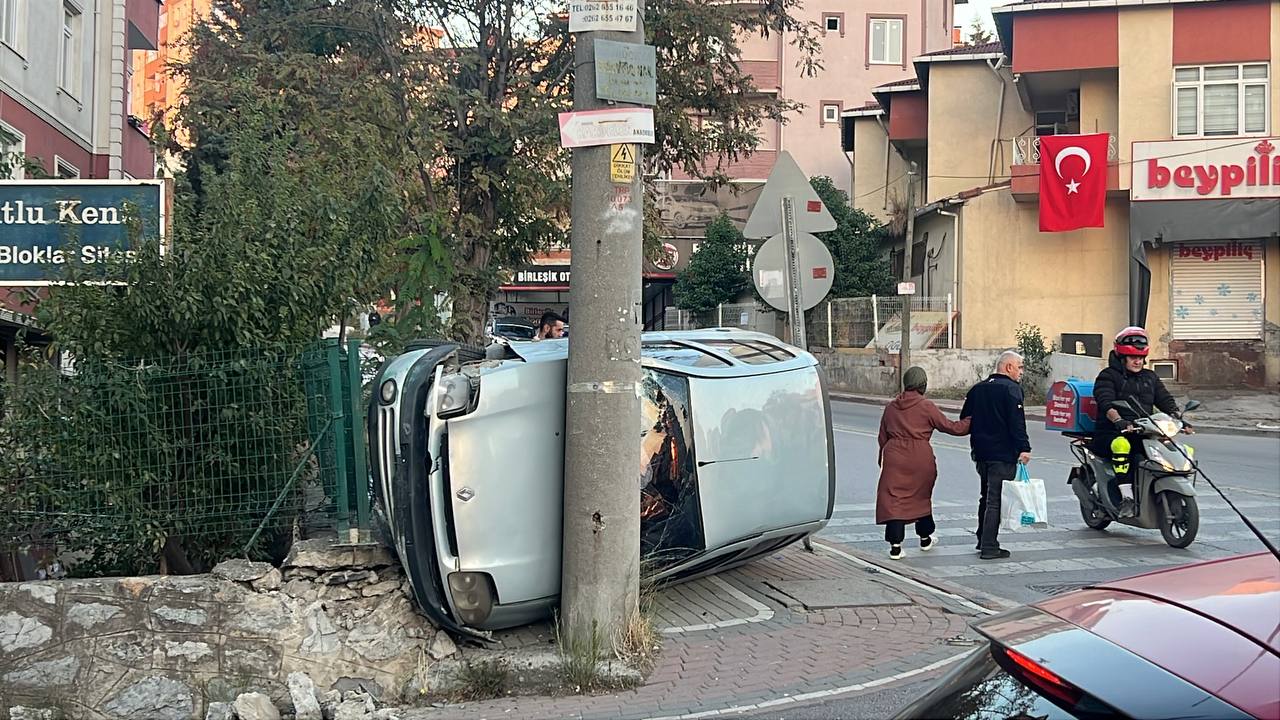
{"points": [[861, 270]]}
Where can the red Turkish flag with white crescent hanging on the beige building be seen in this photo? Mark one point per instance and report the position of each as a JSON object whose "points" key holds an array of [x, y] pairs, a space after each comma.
{"points": [[1073, 181]]}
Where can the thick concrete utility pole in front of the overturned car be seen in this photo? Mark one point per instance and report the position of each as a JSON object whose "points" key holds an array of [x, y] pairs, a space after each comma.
{"points": [[601, 576]]}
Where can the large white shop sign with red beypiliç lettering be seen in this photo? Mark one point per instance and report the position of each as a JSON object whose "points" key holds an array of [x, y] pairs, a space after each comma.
{"points": [[1206, 170]]}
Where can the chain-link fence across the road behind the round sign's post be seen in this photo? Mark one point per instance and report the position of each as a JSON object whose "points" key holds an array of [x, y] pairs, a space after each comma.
{"points": [[843, 322]]}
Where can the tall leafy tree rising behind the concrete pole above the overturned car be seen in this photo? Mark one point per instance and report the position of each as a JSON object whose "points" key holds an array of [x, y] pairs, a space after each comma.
{"points": [[465, 116]]}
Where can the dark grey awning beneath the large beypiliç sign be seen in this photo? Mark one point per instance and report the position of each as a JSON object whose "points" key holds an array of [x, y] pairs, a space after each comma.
{"points": [[1180, 221]]}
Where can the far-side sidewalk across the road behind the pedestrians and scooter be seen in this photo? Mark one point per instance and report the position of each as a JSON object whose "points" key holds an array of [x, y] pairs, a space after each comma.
{"points": [[1224, 413]]}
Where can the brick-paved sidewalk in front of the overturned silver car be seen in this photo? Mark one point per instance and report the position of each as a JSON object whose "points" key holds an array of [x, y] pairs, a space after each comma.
{"points": [[790, 628]]}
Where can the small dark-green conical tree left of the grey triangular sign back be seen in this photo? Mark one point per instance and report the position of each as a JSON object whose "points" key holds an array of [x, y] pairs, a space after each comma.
{"points": [[717, 272]]}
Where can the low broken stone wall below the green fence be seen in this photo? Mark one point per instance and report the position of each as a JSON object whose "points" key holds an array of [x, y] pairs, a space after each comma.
{"points": [[171, 648]]}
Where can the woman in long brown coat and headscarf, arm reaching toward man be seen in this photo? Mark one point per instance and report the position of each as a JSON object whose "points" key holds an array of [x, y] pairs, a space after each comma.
{"points": [[908, 468]]}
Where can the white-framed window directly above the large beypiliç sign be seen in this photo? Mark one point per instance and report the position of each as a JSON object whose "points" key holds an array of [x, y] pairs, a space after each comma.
{"points": [[1222, 101]]}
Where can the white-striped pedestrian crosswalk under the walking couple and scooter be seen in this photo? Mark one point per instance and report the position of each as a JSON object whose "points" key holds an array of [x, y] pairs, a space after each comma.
{"points": [[1064, 546]]}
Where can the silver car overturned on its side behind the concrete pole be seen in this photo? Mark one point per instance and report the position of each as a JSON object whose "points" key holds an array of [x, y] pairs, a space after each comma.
{"points": [[737, 461]]}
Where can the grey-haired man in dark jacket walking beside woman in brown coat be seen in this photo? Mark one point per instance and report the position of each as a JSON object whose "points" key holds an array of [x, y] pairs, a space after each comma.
{"points": [[999, 440]]}
